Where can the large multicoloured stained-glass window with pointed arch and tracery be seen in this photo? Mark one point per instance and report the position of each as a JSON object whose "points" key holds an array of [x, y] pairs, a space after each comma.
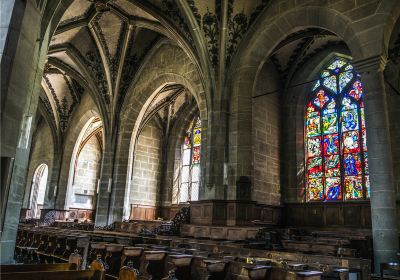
{"points": [[335, 139]]}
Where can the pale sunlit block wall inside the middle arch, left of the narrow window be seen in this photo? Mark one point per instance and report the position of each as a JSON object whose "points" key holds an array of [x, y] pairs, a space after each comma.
{"points": [[145, 182]]}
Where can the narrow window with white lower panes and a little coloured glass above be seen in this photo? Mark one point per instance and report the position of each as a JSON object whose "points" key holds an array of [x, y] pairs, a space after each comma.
{"points": [[190, 163]]}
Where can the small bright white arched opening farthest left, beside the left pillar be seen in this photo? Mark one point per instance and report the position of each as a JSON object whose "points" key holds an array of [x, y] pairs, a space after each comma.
{"points": [[38, 190]]}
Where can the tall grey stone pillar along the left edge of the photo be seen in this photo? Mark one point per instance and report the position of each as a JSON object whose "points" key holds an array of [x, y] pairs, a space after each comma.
{"points": [[21, 70]]}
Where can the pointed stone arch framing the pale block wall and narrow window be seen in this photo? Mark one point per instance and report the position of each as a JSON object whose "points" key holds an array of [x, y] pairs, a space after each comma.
{"points": [[167, 64]]}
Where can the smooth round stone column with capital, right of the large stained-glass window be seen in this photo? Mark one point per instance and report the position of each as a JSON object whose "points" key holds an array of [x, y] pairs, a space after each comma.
{"points": [[383, 204]]}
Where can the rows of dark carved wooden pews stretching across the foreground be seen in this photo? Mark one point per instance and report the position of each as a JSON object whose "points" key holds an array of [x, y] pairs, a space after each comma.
{"points": [[157, 258]]}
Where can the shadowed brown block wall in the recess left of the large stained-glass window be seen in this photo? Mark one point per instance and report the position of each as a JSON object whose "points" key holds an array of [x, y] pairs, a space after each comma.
{"points": [[266, 135]]}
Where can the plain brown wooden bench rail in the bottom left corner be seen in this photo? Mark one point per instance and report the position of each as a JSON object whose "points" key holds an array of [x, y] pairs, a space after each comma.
{"points": [[36, 267]]}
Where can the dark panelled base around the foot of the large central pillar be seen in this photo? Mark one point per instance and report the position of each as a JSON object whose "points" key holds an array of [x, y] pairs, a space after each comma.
{"points": [[233, 213]]}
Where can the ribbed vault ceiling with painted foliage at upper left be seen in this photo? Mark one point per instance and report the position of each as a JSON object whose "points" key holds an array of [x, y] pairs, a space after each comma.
{"points": [[98, 46]]}
